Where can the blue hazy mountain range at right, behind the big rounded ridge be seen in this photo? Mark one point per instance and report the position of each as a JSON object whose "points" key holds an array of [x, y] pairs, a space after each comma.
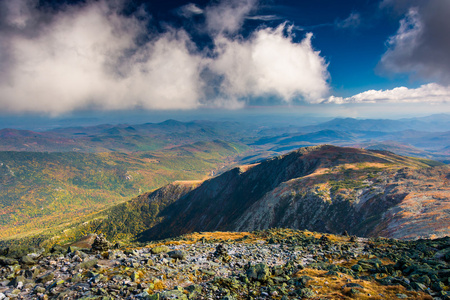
{"points": [[427, 137]]}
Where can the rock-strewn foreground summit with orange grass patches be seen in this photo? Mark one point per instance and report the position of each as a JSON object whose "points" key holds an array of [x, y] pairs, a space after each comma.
{"points": [[270, 264]]}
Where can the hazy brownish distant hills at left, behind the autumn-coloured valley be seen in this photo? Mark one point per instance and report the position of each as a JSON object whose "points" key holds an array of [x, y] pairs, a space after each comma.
{"points": [[122, 137]]}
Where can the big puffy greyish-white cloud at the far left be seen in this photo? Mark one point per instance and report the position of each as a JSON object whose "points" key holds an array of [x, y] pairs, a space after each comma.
{"points": [[63, 67]]}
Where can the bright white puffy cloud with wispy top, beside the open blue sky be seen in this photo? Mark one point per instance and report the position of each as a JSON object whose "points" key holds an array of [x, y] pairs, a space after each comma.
{"points": [[270, 63]]}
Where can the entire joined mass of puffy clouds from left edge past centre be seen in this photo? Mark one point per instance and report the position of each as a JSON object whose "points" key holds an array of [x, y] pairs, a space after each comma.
{"points": [[92, 56]]}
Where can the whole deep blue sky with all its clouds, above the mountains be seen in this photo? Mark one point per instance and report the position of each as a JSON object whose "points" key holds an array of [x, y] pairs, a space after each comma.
{"points": [[357, 58]]}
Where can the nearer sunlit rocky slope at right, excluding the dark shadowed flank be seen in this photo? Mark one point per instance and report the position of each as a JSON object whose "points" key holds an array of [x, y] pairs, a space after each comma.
{"points": [[396, 203]]}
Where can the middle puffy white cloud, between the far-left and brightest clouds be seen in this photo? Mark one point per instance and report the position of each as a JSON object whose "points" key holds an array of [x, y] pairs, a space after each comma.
{"points": [[165, 75]]}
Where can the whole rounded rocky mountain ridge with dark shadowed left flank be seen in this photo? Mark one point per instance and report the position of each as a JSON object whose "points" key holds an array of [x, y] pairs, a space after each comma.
{"points": [[322, 188]]}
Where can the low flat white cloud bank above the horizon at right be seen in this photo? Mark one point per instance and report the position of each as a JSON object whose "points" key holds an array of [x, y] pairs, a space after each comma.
{"points": [[431, 93]]}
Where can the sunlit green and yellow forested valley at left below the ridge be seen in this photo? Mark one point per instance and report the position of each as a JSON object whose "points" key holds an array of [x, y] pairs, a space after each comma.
{"points": [[39, 190]]}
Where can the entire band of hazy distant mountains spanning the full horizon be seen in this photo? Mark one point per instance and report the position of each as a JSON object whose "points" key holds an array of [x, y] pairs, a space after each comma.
{"points": [[429, 135]]}
